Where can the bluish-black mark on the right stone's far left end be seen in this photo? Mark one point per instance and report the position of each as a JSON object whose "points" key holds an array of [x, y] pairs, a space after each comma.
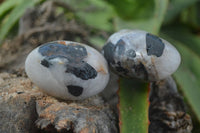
{"points": [[109, 52]]}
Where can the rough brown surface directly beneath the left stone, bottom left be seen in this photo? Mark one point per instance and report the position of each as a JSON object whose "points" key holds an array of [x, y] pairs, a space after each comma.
{"points": [[24, 108]]}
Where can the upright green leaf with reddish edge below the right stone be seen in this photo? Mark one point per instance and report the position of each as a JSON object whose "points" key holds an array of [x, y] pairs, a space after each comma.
{"points": [[133, 106]]}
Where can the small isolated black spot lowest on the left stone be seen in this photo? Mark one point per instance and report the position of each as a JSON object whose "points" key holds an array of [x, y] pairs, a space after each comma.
{"points": [[75, 90]]}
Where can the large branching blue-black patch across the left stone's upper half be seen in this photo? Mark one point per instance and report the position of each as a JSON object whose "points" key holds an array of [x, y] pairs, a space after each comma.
{"points": [[74, 54]]}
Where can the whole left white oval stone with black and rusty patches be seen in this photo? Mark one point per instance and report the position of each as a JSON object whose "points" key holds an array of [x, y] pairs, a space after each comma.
{"points": [[67, 70]]}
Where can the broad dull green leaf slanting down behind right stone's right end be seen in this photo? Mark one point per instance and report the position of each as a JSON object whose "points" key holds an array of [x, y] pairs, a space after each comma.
{"points": [[188, 75]]}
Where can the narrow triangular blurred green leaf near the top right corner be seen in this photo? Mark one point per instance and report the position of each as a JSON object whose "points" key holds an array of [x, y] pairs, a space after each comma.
{"points": [[176, 6]]}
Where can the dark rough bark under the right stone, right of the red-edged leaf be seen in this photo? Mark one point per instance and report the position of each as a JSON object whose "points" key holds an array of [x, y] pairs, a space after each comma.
{"points": [[167, 113]]}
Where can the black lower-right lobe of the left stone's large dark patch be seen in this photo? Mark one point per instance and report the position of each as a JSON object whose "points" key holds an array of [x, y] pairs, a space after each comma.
{"points": [[83, 70]]}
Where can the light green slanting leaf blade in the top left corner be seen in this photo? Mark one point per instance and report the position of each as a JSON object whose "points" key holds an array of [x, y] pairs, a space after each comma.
{"points": [[14, 16]]}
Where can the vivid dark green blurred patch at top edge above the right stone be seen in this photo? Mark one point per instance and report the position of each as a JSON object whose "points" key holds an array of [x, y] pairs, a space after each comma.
{"points": [[133, 9]]}
